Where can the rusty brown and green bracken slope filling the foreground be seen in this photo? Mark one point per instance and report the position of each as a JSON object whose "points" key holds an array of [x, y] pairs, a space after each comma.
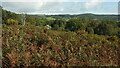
{"points": [[33, 46]]}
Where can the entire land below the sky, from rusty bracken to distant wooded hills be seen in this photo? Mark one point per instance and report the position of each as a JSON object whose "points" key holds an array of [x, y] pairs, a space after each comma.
{"points": [[60, 40]]}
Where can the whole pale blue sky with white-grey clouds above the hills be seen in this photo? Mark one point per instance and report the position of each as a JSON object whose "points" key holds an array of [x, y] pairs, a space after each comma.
{"points": [[61, 6]]}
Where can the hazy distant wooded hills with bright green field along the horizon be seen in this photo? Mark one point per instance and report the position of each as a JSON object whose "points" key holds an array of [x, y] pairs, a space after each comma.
{"points": [[87, 15]]}
